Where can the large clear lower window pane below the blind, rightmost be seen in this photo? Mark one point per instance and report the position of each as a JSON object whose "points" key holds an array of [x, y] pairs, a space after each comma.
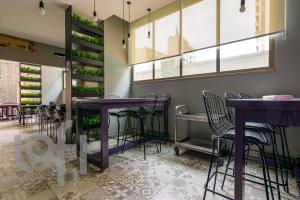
{"points": [[248, 54]]}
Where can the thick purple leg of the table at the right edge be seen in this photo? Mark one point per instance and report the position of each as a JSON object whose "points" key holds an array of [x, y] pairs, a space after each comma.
{"points": [[239, 155]]}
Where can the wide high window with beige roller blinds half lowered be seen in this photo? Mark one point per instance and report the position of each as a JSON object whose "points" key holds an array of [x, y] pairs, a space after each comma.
{"points": [[205, 37]]}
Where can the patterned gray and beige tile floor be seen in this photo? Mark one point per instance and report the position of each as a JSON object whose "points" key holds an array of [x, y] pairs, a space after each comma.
{"points": [[161, 177]]}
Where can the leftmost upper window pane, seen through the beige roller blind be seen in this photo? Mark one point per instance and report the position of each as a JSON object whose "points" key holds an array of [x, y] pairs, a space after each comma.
{"points": [[142, 50]]}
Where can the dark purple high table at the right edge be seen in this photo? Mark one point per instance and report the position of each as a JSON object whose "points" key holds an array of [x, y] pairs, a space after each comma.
{"points": [[284, 113]]}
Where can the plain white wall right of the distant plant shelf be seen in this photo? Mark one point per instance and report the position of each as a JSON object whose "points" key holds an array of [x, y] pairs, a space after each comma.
{"points": [[52, 84]]}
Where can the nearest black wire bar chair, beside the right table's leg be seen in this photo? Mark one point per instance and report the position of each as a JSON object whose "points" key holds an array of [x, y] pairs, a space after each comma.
{"points": [[223, 129]]}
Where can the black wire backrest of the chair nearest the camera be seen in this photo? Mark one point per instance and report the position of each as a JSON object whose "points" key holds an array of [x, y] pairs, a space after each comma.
{"points": [[217, 115]]}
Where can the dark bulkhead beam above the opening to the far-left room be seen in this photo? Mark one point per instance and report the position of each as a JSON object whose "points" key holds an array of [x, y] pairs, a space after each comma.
{"points": [[44, 55]]}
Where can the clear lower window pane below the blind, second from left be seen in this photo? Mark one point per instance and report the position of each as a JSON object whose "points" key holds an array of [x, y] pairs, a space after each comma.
{"points": [[166, 68]]}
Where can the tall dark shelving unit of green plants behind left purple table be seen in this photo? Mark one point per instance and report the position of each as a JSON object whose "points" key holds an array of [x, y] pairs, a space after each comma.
{"points": [[82, 35]]}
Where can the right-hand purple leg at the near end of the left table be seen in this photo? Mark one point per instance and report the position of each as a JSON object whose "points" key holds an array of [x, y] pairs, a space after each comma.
{"points": [[104, 138]]}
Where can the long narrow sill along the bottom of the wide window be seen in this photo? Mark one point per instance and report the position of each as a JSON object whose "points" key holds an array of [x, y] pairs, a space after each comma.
{"points": [[212, 75]]}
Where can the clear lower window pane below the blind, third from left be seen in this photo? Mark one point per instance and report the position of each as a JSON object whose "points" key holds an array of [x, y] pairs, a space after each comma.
{"points": [[200, 62]]}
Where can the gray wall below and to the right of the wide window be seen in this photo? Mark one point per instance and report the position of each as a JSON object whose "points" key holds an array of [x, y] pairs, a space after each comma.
{"points": [[285, 80]]}
